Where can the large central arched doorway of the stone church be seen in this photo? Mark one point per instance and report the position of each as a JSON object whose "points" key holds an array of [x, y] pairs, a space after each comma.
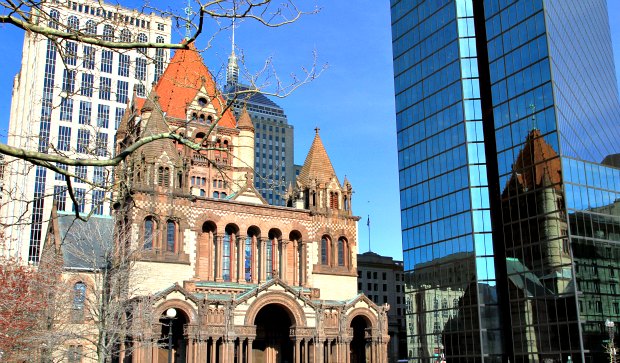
{"points": [[273, 343]]}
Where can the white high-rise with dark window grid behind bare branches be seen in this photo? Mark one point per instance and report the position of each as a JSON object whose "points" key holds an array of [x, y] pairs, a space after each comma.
{"points": [[68, 98]]}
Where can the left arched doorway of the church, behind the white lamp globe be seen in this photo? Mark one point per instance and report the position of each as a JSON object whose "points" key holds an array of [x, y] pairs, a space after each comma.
{"points": [[172, 331]]}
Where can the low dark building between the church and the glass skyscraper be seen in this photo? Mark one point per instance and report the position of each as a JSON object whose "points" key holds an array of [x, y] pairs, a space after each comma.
{"points": [[382, 280]]}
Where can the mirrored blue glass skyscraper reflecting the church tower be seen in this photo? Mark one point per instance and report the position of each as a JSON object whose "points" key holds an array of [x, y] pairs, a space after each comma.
{"points": [[505, 111]]}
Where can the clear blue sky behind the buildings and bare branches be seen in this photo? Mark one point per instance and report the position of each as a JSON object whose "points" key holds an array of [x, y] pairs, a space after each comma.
{"points": [[352, 102]]}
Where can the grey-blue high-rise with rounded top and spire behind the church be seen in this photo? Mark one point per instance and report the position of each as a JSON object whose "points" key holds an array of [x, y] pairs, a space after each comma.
{"points": [[274, 147]]}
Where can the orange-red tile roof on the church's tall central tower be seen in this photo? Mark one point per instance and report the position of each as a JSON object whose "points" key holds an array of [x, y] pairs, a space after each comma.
{"points": [[181, 81]]}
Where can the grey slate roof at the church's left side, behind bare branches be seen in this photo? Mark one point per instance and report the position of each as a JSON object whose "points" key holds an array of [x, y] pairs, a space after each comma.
{"points": [[85, 245]]}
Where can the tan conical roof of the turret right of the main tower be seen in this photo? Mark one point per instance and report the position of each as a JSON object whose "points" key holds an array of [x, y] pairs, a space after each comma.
{"points": [[317, 166]]}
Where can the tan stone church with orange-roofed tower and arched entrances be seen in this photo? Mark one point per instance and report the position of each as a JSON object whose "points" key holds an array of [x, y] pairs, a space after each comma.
{"points": [[249, 282]]}
